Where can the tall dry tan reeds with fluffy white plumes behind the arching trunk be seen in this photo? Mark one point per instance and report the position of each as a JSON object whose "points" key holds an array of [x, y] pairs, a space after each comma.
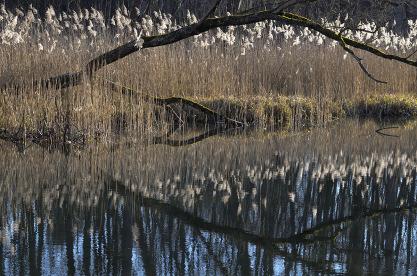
{"points": [[236, 65]]}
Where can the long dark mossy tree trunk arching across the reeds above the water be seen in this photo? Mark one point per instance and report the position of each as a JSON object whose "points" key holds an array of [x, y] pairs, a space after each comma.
{"points": [[275, 13]]}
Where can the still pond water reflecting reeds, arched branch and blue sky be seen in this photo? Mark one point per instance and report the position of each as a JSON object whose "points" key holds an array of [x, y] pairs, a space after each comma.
{"points": [[330, 201]]}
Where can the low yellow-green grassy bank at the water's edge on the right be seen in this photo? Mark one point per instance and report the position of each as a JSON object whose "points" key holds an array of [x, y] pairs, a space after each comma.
{"points": [[299, 112]]}
